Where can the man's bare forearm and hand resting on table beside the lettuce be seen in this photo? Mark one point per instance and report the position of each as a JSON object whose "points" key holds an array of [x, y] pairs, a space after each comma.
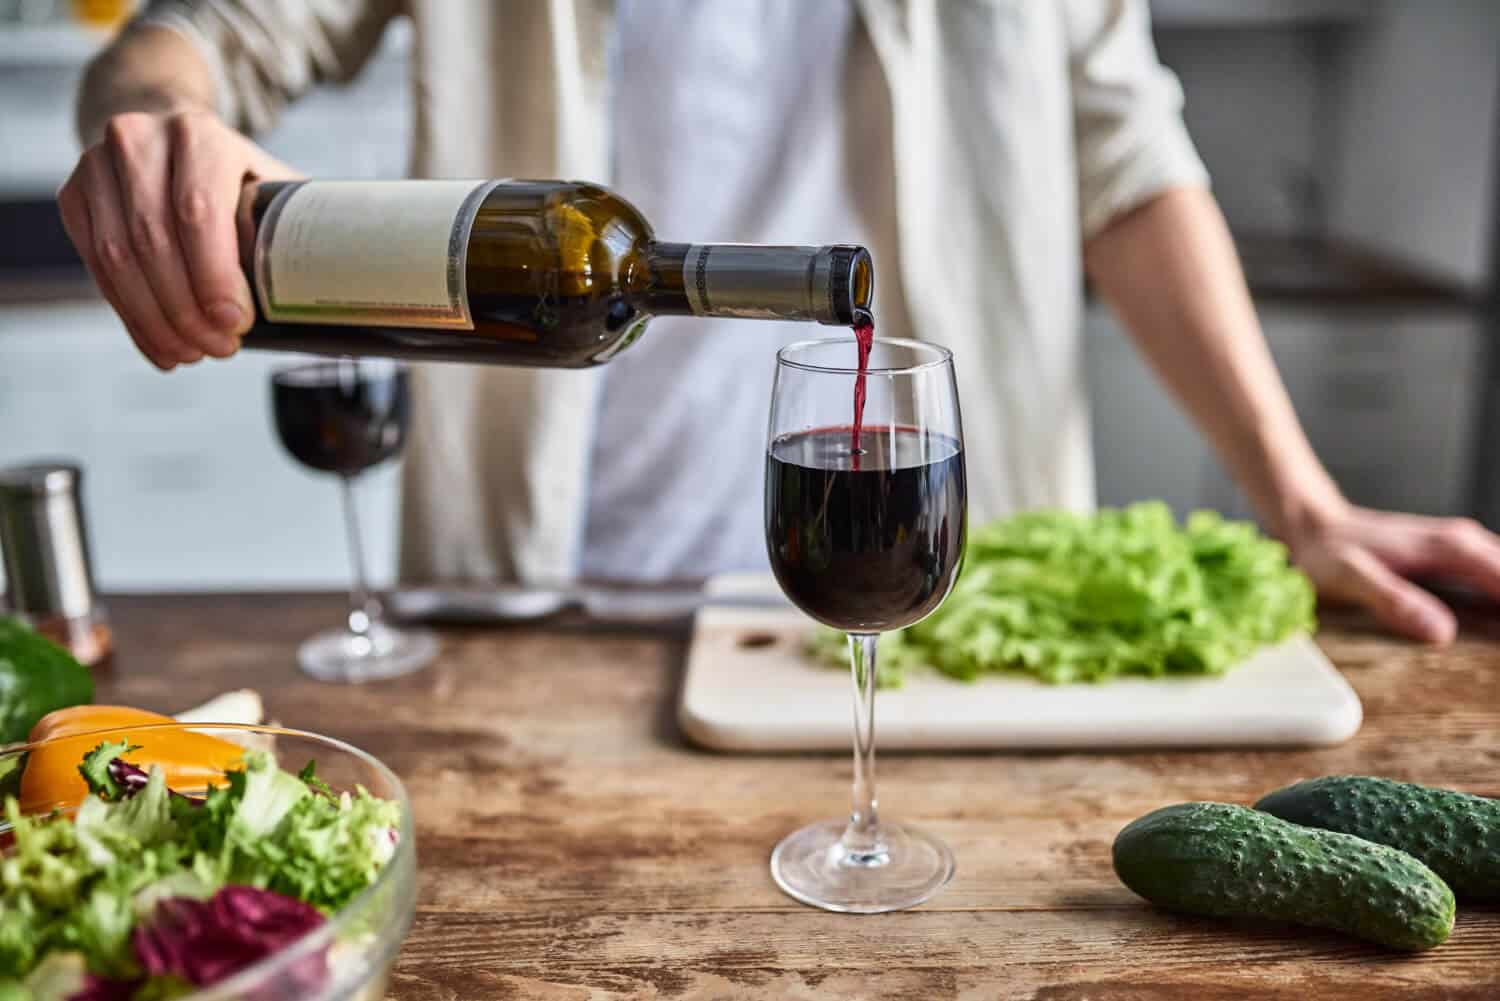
{"points": [[1171, 272]]}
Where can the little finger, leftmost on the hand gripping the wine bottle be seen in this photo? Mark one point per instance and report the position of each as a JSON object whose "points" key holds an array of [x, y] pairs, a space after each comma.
{"points": [[116, 262]]}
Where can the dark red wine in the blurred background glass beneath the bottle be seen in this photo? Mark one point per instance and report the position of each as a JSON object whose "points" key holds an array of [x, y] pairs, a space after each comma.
{"points": [[341, 418]]}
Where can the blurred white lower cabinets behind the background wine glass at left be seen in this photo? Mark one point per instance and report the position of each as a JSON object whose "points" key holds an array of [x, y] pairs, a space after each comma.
{"points": [[185, 482]]}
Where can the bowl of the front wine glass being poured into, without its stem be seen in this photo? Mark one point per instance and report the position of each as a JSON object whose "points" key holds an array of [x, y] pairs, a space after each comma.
{"points": [[866, 538]]}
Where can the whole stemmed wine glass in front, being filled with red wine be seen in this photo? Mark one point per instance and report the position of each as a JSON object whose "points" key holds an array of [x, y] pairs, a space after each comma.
{"points": [[866, 534]]}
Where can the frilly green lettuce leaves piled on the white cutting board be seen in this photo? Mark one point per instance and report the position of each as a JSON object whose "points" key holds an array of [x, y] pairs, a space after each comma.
{"points": [[1088, 598]]}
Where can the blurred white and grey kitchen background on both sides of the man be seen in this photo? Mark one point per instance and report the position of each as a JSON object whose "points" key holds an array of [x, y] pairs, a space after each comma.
{"points": [[1354, 146]]}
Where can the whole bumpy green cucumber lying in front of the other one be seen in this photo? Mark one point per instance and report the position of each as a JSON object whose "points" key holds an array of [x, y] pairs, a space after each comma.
{"points": [[1235, 862]]}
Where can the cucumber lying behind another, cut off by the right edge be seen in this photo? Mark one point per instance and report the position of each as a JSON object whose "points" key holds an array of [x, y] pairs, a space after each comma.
{"points": [[1456, 834]]}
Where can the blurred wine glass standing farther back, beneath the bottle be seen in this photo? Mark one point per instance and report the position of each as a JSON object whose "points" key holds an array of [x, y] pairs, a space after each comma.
{"points": [[346, 416]]}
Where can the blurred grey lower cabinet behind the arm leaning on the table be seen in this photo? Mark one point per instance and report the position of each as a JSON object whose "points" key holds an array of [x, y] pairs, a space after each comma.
{"points": [[1388, 395]]}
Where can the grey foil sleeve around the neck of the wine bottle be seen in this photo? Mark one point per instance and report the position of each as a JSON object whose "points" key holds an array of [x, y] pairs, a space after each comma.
{"points": [[752, 281]]}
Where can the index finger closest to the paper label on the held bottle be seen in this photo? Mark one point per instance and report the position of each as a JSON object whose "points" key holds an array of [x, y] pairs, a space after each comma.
{"points": [[206, 178]]}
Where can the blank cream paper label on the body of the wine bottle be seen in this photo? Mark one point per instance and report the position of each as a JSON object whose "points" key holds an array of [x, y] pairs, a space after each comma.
{"points": [[368, 253]]}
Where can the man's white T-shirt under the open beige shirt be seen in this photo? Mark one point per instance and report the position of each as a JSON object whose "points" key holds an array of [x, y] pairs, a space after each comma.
{"points": [[728, 128]]}
